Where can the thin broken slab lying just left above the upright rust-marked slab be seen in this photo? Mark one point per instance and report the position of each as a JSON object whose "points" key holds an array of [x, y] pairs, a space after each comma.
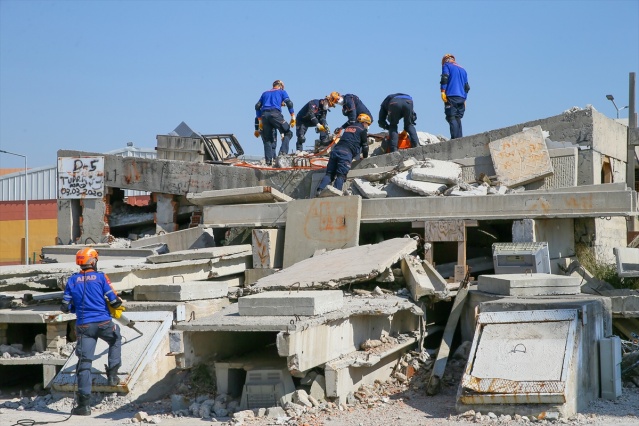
{"points": [[253, 194]]}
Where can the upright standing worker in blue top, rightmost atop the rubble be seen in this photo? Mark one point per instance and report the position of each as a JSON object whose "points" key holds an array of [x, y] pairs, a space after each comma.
{"points": [[455, 88]]}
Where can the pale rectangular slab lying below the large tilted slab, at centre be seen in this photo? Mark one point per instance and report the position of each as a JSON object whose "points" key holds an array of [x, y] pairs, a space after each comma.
{"points": [[288, 303]]}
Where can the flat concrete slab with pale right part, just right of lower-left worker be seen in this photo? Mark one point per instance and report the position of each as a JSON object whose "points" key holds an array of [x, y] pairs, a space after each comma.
{"points": [[185, 291]]}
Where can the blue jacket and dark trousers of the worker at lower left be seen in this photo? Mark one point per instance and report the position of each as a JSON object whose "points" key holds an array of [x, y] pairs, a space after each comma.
{"points": [[86, 295]]}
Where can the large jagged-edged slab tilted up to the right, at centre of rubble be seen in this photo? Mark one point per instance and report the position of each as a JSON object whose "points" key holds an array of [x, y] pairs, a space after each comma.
{"points": [[342, 266]]}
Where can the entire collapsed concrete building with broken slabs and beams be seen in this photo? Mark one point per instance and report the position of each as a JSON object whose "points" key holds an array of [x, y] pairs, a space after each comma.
{"points": [[278, 291]]}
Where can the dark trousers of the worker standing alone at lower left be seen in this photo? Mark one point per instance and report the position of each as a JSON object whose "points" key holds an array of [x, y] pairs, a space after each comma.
{"points": [[88, 335]]}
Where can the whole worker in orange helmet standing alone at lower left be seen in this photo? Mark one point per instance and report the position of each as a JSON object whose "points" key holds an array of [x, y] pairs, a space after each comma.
{"points": [[91, 297]]}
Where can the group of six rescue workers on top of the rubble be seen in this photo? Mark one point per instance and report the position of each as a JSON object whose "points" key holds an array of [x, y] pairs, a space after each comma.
{"points": [[395, 107]]}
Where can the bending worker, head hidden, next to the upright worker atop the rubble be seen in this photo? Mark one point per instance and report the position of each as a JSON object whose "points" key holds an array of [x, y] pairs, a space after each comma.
{"points": [[395, 107]]}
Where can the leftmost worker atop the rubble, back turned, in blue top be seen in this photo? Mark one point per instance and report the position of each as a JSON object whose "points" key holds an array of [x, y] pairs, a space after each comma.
{"points": [[268, 111]]}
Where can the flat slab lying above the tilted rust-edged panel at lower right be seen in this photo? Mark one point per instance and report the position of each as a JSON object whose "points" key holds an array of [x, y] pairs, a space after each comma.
{"points": [[535, 284]]}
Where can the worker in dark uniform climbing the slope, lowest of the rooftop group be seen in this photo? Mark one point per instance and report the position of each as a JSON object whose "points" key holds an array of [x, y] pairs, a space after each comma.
{"points": [[354, 139]]}
